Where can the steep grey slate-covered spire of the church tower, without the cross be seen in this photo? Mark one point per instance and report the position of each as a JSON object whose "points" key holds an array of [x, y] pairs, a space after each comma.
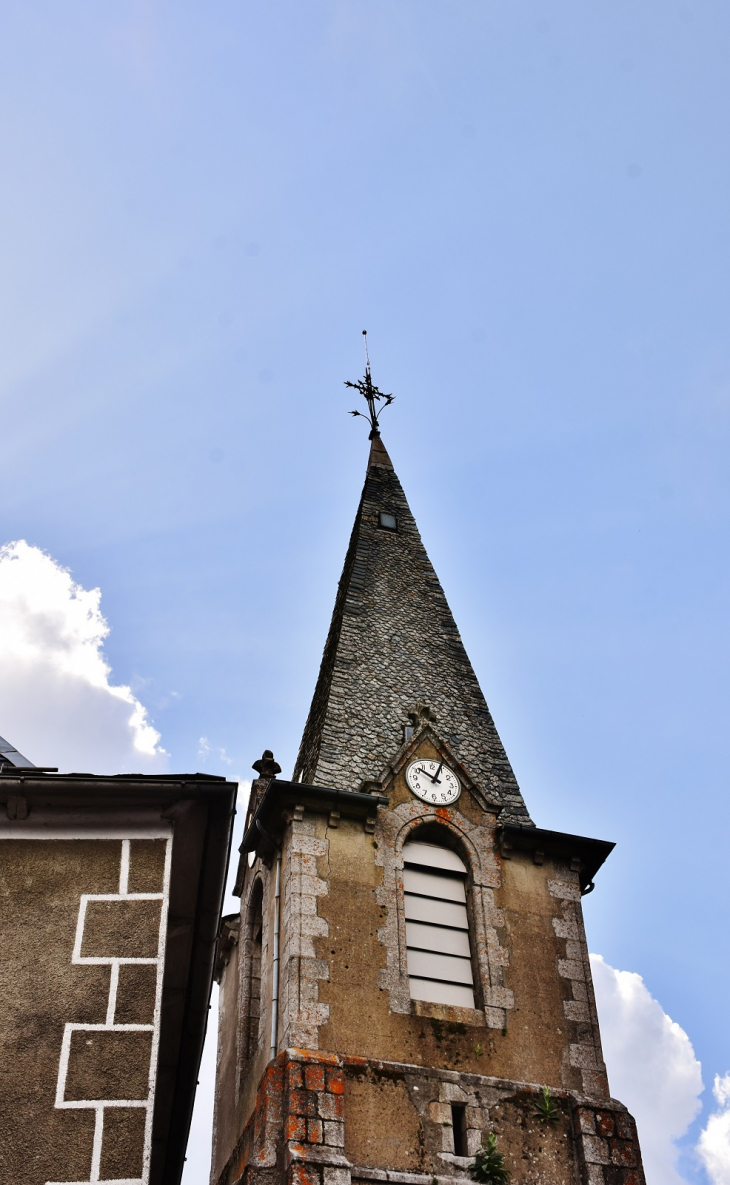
{"points": [[394, 643]]}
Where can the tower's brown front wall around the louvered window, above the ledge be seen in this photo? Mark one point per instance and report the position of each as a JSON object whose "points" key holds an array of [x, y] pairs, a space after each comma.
{"points": [[345, 975]]}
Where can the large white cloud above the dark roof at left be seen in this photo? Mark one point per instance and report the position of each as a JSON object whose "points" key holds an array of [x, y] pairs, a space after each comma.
{"points": [[57, 703]]}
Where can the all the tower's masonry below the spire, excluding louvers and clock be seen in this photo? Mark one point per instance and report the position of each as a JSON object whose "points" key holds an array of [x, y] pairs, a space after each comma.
{"points": [[368, 1078]]}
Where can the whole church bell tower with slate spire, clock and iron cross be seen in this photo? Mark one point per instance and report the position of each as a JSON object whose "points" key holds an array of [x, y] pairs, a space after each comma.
{"points": [[409, 970]]}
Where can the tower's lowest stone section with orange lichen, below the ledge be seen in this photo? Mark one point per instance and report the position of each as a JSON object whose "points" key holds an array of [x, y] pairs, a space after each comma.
{"points": [[329, 1120]]}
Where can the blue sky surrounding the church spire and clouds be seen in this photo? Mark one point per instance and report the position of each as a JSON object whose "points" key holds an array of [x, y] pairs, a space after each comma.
{"points": [[526, 203]]}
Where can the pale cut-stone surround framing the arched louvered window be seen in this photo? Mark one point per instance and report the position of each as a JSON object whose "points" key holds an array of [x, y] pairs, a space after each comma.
{"points": [[477, 843]]}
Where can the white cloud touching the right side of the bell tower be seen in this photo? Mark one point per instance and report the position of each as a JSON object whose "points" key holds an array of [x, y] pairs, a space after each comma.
{"points": [[651, 1067]]}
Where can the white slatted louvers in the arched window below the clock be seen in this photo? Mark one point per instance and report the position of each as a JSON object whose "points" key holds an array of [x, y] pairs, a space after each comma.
{"points": [[437, 926]]}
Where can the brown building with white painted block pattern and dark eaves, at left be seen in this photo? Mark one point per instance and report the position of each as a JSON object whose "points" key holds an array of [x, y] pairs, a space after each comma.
{"points": [[111, 896]]}
